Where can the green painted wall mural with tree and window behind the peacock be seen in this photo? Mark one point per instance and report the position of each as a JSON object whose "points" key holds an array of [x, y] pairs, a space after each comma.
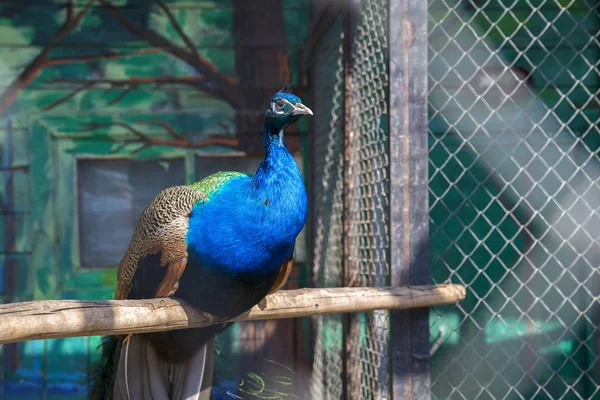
{"points": [[102, 104]]}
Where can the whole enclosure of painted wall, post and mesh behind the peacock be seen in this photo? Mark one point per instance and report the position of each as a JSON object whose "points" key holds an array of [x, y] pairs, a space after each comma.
{"points": [[452, 141]]}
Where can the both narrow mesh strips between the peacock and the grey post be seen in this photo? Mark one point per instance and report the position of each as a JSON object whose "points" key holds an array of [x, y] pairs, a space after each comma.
{"points": [[358, 366]]}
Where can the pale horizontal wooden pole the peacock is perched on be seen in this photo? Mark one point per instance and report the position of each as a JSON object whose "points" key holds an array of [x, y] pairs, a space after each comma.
{"points": [[55, 318]]}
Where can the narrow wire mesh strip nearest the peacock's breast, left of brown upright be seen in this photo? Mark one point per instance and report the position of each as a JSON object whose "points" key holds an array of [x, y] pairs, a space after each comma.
{"points": [[327, 151]]}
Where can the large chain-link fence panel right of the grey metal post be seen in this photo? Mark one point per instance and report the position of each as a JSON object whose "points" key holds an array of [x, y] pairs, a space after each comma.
{"points": [[514, 197]]}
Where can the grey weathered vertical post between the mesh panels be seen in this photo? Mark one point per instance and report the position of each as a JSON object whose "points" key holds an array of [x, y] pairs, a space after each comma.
{"points": [[409, 224]]}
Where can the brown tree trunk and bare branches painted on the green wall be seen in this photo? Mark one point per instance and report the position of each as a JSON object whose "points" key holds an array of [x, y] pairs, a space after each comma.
{"points": [[258, 36]]}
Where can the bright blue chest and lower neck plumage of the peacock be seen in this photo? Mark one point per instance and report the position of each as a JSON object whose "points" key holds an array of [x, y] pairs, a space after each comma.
{"points": [[249, 225]]}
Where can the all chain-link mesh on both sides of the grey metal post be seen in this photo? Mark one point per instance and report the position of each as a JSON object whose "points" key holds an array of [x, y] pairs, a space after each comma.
{"points": [[514, 198]]}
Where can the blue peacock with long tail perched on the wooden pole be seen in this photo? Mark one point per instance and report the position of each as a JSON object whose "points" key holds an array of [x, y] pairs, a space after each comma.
{"points": [[221, 244]]}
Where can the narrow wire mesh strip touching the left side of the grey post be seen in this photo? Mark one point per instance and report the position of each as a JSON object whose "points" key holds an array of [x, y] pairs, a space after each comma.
{"points": [[367, 218]]}
